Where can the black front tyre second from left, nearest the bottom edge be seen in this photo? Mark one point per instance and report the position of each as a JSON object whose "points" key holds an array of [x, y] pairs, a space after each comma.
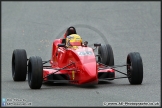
{"points": [[35, 72]]}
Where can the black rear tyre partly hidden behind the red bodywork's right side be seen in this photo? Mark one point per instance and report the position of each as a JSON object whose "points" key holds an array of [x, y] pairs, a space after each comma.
{"points": [[106, 55]]}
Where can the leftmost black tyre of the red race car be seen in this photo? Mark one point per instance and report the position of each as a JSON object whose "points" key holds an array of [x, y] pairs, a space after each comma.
{"points": [[19, 65]]}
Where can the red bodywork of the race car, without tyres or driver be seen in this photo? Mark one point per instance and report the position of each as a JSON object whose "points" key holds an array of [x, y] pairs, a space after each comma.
{"points": [[83, 68]]}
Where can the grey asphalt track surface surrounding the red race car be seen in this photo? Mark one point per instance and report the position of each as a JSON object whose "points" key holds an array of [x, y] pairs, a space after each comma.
{"points": [[126, 26]]}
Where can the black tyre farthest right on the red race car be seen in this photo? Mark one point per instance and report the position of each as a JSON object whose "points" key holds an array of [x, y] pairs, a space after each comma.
{"points": [[134, 68]]}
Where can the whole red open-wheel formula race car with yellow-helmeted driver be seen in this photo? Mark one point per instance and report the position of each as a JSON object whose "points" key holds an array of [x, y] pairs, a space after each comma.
{"points": [[74, 62]]}
